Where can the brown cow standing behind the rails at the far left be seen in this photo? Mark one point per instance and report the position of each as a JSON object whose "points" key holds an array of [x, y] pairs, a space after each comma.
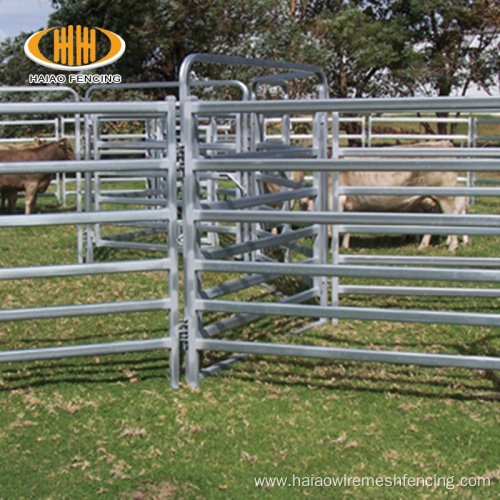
{"points": [[36, 183]]}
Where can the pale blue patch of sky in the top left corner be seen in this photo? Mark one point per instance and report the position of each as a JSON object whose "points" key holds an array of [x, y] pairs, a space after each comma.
{"points": [[23, 15]]}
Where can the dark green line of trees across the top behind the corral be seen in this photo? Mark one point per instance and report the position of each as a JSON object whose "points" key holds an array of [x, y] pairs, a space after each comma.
{"points": [[367, 48]]}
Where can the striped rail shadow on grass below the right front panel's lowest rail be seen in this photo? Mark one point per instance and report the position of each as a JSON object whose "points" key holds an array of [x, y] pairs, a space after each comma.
{"points": [[346, 377]]}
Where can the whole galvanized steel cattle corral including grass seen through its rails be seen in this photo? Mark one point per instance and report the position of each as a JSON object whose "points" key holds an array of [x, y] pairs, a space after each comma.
{"points": [[173, 196]]}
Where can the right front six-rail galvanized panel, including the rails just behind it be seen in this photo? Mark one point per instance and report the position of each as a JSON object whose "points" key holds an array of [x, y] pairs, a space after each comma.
{"points": [[426, 159]]}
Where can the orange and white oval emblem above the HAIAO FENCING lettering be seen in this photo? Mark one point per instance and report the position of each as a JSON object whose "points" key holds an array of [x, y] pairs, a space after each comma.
{"points": [[74, 50]]}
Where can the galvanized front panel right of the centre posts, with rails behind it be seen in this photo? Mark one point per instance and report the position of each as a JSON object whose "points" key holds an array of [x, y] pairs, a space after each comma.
{"points": [[261, 268]]}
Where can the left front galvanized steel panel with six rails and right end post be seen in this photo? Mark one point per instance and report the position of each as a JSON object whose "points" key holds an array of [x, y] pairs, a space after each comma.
{"points": [[168, 215]]}
